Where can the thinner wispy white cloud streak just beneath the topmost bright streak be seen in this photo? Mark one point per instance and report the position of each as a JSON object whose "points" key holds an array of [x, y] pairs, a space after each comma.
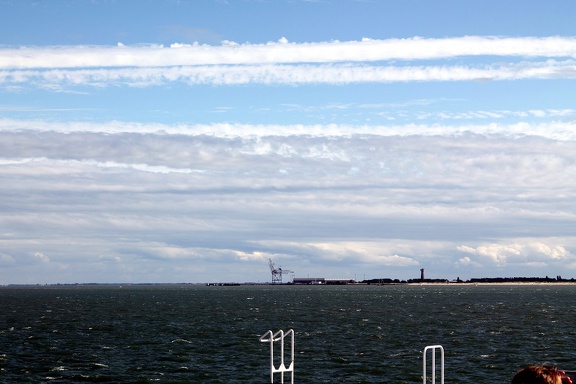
{"points": [[283, 74]]}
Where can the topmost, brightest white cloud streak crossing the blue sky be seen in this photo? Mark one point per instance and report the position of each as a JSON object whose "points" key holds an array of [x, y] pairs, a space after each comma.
{"points": [[284, 52]]}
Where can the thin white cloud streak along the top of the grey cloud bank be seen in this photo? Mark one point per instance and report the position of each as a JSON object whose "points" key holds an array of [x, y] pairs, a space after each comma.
{"points": [[554, 130]]}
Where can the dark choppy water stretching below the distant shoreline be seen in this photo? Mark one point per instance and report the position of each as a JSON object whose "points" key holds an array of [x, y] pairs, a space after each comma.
{"points": [[344, 334]]}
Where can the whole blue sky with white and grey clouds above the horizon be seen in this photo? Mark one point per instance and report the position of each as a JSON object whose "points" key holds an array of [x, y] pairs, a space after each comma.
{"points": [[177, 141]]}
